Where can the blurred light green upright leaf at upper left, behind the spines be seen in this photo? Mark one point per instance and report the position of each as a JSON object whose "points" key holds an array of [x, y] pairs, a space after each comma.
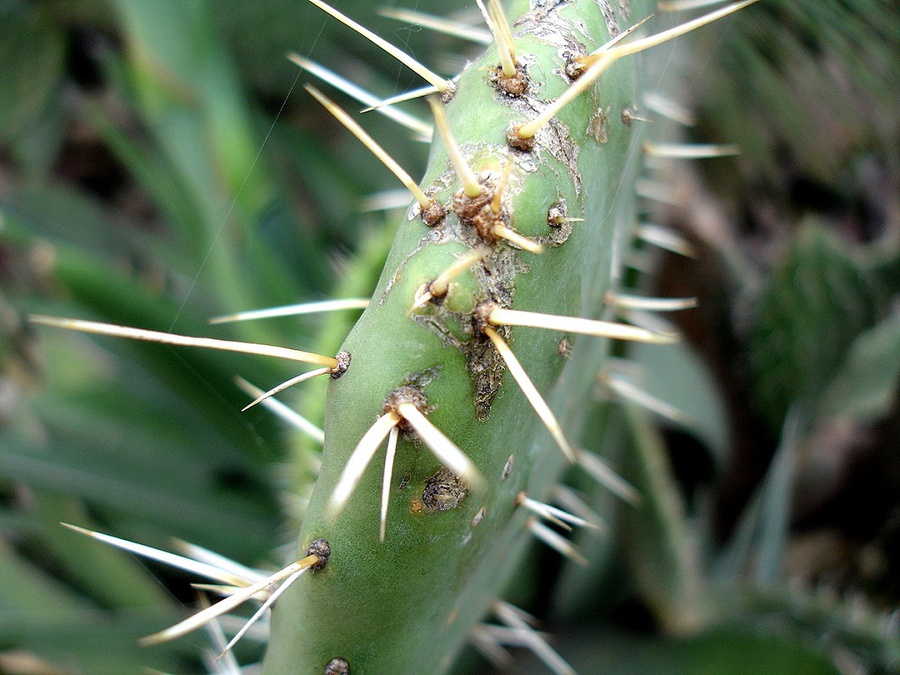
{"points": [[188, 96]]}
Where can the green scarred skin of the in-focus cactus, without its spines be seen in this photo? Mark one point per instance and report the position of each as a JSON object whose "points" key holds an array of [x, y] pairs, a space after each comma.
{"points": [[407, 605]]}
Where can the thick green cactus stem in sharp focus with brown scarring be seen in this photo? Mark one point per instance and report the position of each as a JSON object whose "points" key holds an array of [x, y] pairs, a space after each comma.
{"points": [[477, 442]]}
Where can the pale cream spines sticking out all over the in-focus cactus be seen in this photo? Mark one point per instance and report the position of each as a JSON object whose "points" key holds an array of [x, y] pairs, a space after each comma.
{"points": [[479, 203]]}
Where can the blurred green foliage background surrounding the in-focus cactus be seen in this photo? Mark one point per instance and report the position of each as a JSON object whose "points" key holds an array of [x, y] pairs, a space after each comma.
{"points": [[160, 165]]}
